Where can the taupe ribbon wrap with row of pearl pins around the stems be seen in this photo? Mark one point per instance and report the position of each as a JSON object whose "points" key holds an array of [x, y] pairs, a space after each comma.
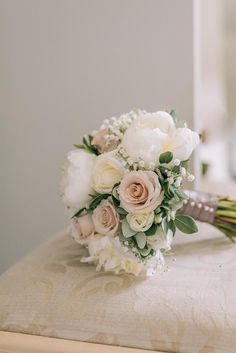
{"points": [[200, 205]]}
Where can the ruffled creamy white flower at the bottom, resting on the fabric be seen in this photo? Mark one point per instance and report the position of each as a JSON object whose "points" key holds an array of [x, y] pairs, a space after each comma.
{"points": [[108, 253]]}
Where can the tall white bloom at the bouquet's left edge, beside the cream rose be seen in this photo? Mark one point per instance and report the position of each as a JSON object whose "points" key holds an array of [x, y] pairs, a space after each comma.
{"points": [[77, 179]]}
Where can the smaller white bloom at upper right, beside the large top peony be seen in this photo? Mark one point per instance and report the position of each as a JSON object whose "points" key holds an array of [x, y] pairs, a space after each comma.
{"points": [[182, 143]]}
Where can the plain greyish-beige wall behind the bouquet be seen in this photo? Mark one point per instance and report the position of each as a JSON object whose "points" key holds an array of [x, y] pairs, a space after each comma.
{"points": [[66, 65]]}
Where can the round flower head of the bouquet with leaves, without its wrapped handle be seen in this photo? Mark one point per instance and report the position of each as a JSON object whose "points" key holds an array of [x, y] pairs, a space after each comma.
{"points": [[123, 188]]}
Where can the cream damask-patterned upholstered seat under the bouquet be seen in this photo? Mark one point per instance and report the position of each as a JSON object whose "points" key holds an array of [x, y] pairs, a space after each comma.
{"points": [[190, 308]]}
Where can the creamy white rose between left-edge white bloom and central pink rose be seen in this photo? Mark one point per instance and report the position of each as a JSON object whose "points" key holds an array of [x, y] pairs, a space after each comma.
{"points": [[107, 172]]}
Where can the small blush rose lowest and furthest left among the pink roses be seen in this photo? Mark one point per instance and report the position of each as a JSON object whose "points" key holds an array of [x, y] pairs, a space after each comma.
{"points": [[82, 228]]}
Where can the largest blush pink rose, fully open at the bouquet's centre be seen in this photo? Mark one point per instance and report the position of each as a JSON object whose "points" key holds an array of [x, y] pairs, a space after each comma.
{"points": [[140, 191]]}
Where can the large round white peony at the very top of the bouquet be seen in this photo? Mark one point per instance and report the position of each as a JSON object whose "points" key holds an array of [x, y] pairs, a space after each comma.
{"points": [[145, 137]]}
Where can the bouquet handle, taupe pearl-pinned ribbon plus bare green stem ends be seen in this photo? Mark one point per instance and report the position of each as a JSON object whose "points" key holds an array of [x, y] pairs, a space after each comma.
{"points": [[209, 208]]}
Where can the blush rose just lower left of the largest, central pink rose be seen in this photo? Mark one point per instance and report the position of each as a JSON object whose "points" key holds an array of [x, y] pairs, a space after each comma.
{"points": [[106, 219]]}
